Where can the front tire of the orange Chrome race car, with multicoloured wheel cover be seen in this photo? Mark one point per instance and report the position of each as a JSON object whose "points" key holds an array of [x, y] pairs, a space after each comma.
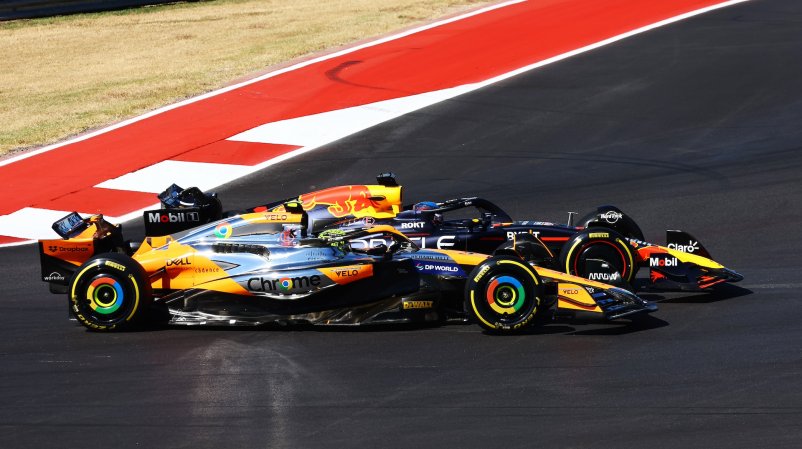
{"points": [[503, 294]]}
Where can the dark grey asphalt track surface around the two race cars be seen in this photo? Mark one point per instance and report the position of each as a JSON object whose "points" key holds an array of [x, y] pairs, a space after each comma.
{"points": [[694, 126]]}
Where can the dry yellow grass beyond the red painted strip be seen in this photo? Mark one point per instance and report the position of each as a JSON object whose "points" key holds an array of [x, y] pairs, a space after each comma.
{"points": [[63, 76]]}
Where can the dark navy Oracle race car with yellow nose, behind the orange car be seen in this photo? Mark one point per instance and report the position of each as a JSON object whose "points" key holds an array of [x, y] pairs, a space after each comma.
{"points": [[476, 224]]}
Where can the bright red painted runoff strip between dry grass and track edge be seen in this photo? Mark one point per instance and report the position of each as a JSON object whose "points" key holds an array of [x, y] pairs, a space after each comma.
{"points": [[468, 50]]}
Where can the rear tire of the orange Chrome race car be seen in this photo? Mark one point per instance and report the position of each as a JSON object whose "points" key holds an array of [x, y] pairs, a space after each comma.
{"points": [[109, 292]]}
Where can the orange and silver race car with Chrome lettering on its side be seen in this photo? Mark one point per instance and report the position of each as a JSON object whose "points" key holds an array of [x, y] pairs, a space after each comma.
{"points": [[264, 267]]}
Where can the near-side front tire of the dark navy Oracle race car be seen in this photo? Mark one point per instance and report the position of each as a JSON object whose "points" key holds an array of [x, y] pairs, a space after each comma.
{"points": [[598, 243]]}
